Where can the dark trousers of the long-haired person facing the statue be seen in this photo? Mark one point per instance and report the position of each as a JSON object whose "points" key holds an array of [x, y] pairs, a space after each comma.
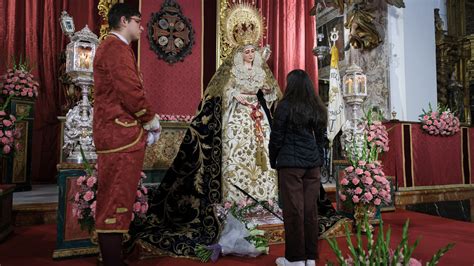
{"points": [[300, 191]]}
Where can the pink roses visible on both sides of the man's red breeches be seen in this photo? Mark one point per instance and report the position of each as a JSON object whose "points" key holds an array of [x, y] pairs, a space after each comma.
{"points": [[84, 201]]}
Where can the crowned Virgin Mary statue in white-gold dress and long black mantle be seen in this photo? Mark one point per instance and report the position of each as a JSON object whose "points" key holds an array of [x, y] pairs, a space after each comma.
{"points": [[224, 151]]}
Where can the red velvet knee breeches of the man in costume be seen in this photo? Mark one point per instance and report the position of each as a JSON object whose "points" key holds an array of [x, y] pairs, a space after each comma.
{"points": [[118, 177]]}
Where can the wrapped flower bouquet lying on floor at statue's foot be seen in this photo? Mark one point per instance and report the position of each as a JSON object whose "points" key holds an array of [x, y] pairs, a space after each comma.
{"points": [[240, 236]]}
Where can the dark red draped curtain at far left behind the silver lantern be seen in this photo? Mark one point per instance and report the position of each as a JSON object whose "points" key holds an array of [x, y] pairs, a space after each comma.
{"points": [[31, 28]]}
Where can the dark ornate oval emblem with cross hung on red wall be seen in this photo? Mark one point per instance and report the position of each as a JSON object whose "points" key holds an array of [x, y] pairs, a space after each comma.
{"points": [[170, 33]]}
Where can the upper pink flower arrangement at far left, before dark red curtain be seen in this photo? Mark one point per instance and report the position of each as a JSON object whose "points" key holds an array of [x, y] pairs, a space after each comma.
{"points": [[19, 83]]}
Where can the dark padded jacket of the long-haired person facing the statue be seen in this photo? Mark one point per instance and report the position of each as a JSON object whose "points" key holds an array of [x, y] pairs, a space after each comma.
{"points": [[290, 147]]}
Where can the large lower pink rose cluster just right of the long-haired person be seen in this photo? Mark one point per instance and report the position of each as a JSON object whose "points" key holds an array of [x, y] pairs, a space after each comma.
{"points": [[365, 183]]}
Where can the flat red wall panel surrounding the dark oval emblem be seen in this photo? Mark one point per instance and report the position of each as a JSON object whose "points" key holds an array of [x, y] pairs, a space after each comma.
{"points": [[176, 88]]}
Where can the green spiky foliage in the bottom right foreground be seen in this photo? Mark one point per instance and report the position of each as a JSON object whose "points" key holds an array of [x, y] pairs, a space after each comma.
{"points": [[378, 252]]}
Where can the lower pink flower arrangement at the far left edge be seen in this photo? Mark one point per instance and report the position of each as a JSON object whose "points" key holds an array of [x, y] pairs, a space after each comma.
{"points": [[9, 133]]}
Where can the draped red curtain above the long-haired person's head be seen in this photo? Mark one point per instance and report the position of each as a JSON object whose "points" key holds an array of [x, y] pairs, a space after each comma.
{"points": [[291, 32]]}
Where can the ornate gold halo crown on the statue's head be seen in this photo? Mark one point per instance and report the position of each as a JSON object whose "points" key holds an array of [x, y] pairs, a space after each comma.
{"points": [[244, 25]]}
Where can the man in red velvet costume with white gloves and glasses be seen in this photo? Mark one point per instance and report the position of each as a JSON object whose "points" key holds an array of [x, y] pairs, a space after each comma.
{"points": [[123, 124]]}
